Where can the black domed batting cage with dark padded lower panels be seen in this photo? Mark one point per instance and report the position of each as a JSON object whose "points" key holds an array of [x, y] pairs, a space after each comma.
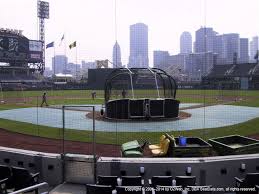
{"points": [[121, 108]]}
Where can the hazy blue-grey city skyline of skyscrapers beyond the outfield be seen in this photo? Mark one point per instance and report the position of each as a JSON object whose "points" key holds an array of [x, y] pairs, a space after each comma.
{"points": [[225, 46]]}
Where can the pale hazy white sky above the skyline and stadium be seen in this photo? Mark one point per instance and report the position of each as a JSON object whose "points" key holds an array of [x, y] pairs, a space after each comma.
{"points": [[92, 23]]}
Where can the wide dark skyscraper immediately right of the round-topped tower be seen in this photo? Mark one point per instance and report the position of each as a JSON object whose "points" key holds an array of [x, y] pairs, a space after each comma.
{"points": [[204, 38]]}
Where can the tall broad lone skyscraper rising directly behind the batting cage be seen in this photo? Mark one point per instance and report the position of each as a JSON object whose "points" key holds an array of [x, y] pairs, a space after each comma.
{"points": [[138, 45]]}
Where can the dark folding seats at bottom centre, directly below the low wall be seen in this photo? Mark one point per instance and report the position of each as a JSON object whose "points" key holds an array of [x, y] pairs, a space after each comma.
{"points": [[156, 185]]}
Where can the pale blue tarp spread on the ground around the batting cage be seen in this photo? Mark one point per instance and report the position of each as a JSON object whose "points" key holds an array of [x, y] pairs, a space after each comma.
{"points": [[205, 117]]}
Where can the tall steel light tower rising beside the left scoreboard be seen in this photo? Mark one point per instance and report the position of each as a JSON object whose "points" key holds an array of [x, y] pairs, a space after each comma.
{"points": [[43, 13]]}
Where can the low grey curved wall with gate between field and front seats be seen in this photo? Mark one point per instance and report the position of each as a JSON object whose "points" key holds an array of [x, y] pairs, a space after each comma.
{"points": [[216, 171]]}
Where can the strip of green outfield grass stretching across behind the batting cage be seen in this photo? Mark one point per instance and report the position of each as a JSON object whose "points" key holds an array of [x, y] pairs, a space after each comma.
{"points": [[33, 98]]}
